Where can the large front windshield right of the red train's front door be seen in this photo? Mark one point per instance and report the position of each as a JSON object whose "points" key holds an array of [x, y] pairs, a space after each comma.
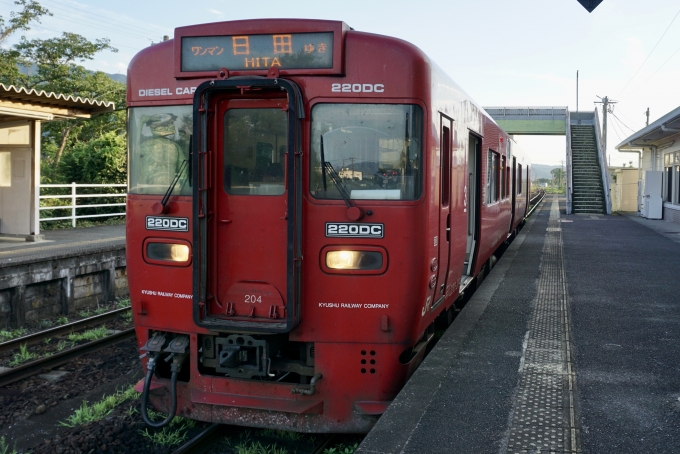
{"points": [[372, 151]]}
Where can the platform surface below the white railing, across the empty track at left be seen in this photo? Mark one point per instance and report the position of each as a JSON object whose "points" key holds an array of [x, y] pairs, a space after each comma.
{"points": [[61, 242]]}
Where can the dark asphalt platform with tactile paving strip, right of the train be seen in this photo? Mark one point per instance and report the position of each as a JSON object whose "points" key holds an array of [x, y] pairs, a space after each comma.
{"points": [[571, 344]]}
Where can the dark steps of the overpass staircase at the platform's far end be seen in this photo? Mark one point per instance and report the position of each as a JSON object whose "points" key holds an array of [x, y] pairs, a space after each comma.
{"points": [[587, 189]]}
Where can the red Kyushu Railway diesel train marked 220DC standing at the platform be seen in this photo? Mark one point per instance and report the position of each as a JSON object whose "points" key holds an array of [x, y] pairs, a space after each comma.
{"points": [[304, 201]]}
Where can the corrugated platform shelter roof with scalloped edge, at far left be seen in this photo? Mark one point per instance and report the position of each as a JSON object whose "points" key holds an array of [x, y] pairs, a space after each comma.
{"points": [[20, 103]]}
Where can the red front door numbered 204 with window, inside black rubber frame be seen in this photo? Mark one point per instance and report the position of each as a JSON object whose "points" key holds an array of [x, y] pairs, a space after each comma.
{"points": [[249, 241]]}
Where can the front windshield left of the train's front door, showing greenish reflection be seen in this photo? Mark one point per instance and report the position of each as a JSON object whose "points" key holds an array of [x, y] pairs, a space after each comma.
{"points": [[158, 144]]}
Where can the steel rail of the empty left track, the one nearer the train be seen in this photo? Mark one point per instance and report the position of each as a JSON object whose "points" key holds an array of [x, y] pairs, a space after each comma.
{"points": [[57, 359]]}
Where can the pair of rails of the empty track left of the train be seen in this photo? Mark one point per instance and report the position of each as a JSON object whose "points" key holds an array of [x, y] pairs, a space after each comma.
{"points": [[56, 359]]}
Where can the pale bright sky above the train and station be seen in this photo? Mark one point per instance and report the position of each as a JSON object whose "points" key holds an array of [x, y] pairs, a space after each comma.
{"points": [[502, 52]]}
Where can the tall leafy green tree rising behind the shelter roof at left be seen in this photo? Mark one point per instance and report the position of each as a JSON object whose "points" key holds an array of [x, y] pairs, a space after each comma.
{"points": [[54, 65]]}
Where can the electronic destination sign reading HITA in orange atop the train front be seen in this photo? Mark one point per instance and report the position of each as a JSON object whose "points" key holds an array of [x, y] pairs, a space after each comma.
{"points": [[247, 52]]}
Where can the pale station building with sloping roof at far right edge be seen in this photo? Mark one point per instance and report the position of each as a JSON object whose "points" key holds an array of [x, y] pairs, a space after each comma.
{"points": [[658, 149]]}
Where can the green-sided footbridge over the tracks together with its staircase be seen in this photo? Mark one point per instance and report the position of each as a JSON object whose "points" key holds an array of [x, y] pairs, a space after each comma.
{"points": [[587, 176]]}
